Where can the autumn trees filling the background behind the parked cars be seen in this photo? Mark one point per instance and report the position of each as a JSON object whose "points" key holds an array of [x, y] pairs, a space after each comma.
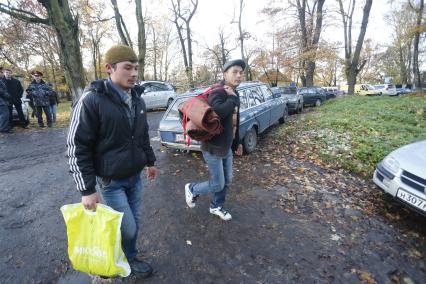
{"points": [[66, 40]]}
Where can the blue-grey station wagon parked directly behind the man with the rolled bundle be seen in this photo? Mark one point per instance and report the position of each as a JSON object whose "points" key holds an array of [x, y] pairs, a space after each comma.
{"points": [[259, 109]]}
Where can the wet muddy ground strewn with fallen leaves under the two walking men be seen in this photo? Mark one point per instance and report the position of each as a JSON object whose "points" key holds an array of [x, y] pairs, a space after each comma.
{"points": [[293, 221]]}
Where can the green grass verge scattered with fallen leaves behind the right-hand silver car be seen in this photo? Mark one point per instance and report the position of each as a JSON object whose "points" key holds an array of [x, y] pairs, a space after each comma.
{"points": [[356, 132]]}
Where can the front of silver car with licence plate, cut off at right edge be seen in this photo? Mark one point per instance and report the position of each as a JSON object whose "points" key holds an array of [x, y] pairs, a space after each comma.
{"points": [[402, 174]]}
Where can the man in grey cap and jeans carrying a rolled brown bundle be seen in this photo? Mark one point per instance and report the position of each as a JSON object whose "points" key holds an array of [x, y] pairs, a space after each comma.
{"points": [[217, 152]]}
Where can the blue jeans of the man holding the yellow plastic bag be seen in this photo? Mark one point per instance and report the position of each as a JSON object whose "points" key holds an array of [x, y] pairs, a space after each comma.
{"points": [[124, 195]]}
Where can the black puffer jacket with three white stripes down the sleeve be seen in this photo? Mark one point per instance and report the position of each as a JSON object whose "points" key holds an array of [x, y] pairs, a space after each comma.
{"points": [[101, 141]]}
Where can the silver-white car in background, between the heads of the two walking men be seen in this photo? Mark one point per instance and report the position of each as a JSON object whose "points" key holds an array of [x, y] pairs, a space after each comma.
{"points": [[157, 94]]}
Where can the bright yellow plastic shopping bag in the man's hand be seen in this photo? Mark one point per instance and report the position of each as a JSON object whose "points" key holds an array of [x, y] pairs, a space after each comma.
{"points": [[94, 240]]}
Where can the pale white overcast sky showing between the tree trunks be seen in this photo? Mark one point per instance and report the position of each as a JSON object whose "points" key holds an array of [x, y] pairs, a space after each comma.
{"points": [[211, 15]]}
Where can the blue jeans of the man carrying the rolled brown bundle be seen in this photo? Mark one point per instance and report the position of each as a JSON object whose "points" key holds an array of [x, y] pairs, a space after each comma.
{"points": [[220, 169]]}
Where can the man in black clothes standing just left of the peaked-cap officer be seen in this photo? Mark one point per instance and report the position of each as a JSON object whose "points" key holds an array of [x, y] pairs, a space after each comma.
{"points": [[15, 89]]}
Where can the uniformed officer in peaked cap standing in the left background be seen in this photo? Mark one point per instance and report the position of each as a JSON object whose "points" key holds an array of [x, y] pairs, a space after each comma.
{"points": [[40, 92]]}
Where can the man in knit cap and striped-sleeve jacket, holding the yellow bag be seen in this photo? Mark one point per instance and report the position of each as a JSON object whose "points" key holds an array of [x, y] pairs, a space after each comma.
{"points": [[108, 146]]}
